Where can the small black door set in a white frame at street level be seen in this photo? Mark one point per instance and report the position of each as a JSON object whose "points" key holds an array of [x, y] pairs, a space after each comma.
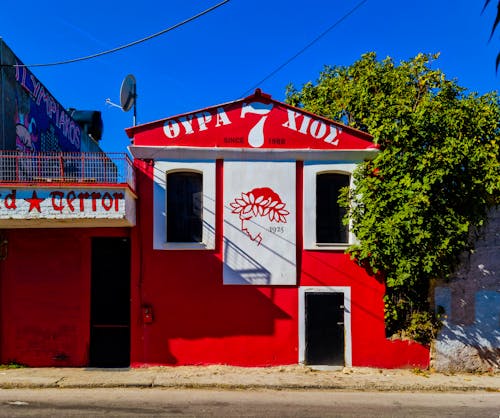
{"points": [[324, 330]]}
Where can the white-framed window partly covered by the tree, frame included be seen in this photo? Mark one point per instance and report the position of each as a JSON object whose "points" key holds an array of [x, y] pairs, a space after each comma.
{"points": [[323, 216]]}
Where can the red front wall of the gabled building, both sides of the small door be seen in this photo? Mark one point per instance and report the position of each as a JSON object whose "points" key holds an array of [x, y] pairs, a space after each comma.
{"points": [[197, 320]]}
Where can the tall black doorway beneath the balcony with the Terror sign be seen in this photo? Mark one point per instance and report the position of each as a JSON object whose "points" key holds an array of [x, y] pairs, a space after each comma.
{"points": [[110, 303]]}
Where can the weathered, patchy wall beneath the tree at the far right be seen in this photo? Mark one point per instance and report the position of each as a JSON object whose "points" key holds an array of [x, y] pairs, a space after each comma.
{"points": [[470, 337]]}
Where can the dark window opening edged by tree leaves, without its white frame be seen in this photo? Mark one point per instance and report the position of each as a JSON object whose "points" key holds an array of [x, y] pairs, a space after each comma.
{"points": [[329, 227]]}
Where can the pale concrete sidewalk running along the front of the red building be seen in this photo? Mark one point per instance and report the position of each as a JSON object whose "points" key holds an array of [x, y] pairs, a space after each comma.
{"points": [[228, 377]]}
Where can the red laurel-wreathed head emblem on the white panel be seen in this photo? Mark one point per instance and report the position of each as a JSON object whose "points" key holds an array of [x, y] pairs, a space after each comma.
{"points": [[261, 203]]}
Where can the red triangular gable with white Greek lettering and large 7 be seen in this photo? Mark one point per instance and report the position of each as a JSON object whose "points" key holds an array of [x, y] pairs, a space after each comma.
{"points": [[257, 122]]}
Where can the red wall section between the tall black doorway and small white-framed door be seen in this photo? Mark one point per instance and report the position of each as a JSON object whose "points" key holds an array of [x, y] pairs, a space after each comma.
{"points": [[197, 320]]}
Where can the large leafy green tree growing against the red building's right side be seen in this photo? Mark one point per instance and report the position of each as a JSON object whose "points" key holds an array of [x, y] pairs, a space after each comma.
{"points": [[417, 204]]}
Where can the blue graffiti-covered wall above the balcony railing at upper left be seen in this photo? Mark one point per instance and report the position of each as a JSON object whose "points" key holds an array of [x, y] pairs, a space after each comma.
{"points": [[42, 124]]}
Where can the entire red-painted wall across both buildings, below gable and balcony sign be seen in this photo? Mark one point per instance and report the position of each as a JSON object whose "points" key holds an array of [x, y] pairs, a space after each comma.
{"points": [[45, 301]]}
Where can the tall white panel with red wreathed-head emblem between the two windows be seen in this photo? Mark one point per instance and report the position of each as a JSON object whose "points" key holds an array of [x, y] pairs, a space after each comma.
{"points": [[259, 223]]}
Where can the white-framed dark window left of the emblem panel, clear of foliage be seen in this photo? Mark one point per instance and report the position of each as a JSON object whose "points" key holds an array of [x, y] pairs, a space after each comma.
{"points": [[184, 205]]}
